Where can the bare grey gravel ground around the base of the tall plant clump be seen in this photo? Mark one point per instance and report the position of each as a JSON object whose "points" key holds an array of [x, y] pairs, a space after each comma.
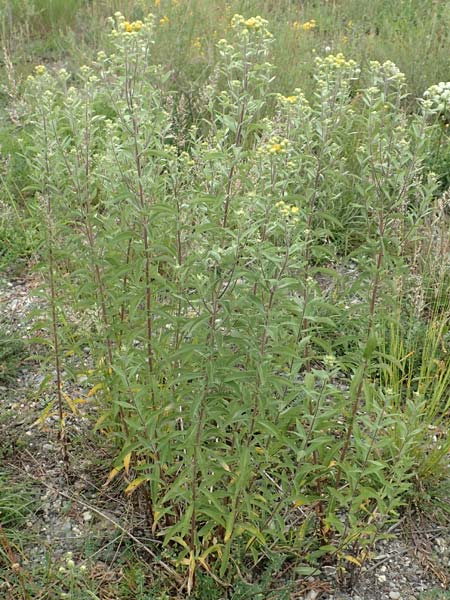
{"points": [[413, 565]]}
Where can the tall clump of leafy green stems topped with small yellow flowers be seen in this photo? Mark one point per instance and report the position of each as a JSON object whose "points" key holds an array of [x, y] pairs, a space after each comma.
{"points": [[199, 256]]}
